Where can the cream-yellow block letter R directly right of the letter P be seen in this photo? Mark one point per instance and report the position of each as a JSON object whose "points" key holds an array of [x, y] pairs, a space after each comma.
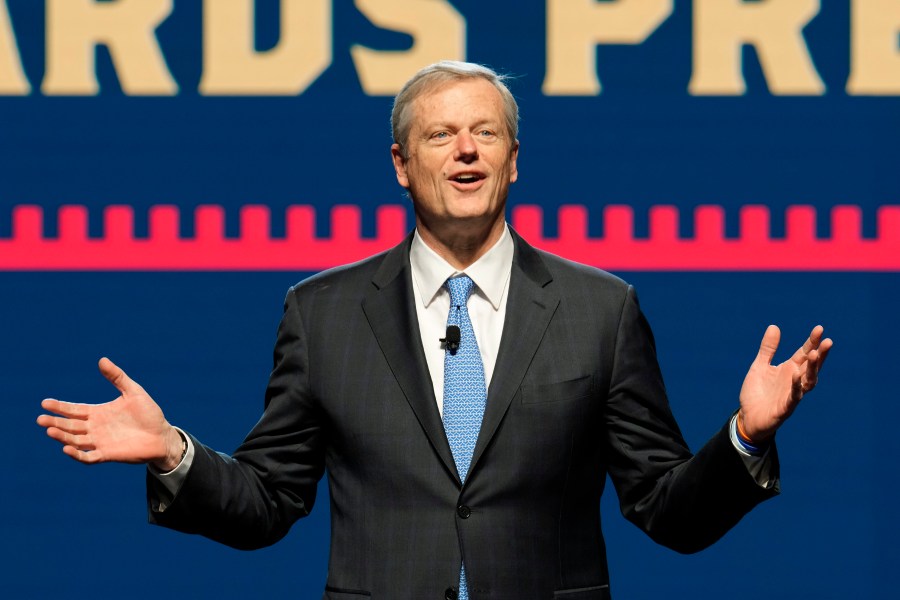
{"points": [[773, 27]]}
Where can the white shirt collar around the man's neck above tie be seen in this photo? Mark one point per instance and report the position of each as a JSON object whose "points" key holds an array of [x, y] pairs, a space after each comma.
{"points": [[490, 272]]}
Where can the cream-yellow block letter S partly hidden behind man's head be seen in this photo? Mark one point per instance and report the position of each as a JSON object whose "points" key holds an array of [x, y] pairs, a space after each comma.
{"points": [[438, 32]]}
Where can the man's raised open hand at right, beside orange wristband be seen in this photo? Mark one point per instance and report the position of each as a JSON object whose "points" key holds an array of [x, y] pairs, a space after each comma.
{"points": [[771, 393]]}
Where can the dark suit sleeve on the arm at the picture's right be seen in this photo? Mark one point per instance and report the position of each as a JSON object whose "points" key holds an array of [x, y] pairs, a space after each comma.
{"points": [[682, 501]]}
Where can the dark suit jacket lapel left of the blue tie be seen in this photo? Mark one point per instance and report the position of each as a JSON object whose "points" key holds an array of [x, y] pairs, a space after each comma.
{"points": [[391, 312]]}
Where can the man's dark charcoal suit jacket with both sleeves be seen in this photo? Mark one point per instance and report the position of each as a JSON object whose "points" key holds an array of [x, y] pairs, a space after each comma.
{"points": [[576, 394]]}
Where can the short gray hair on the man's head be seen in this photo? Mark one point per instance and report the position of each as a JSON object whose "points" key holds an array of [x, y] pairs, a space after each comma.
{"points": [[442, 72]]}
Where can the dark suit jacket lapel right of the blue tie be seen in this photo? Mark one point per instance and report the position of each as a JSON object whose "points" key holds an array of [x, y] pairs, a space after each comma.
{"points": [[529, 308]]}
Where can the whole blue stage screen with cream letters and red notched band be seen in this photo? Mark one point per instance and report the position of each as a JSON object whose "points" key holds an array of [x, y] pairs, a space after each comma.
{"points": [[168, 169]]}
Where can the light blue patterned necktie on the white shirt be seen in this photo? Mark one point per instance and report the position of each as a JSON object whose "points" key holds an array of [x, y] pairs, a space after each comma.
{"points": [[465, 392]]}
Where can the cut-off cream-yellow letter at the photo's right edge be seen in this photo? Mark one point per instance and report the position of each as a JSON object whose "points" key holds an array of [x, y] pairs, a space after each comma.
{"points": [[875, 57]]}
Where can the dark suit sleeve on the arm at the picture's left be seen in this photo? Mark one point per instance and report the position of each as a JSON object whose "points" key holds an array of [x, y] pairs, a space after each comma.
{"points": [[251, 499]]}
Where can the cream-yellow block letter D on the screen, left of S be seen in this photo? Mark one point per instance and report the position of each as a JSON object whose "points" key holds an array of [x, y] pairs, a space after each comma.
{"points": [[231, 65]]}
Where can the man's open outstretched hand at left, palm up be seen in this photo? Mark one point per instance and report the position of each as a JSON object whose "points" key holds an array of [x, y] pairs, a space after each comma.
{"points": [[130, 429]]}
